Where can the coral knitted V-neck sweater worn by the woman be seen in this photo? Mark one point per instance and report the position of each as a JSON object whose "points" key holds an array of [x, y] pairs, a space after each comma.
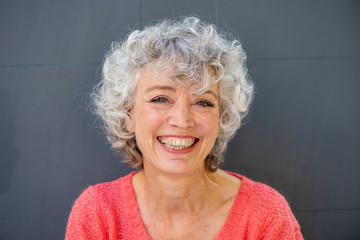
{"points": [[110, 211]]}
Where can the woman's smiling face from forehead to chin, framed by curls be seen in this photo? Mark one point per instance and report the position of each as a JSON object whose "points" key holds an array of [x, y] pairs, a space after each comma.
{"points": [[175, 128]]}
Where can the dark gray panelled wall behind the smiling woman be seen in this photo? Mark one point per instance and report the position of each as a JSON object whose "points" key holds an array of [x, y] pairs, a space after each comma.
{"points": [[302, 137]]}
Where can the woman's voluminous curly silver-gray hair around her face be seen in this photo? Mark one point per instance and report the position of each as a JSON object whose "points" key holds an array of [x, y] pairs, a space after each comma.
{"points": [[191, 47]]}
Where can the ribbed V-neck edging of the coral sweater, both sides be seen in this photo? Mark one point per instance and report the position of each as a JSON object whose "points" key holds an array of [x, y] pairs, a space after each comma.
{"points": [[137, 225]]}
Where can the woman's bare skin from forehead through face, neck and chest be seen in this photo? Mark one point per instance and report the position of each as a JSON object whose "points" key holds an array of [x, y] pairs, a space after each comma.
{"points": [[177, 197]]}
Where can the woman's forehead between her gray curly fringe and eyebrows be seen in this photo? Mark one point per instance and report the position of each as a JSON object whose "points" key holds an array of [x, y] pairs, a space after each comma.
{"points": [[149, 77]]}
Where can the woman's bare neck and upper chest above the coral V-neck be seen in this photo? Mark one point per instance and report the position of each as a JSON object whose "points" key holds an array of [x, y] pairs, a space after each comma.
{"points": [[192, 207]]}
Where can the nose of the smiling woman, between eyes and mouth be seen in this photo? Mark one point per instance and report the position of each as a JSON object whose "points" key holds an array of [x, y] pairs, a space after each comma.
{"points": [[181, 115]]}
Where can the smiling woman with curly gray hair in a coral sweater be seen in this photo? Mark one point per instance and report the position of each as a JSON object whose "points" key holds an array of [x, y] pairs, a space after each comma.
{"points": [[171, 97]]}
